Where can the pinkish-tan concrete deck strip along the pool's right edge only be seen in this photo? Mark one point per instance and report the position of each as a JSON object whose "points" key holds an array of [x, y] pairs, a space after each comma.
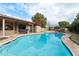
{"points": [[72, 46]]}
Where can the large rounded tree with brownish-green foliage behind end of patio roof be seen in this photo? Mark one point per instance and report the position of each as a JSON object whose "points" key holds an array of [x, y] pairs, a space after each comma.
{"points": [[40, 20]]}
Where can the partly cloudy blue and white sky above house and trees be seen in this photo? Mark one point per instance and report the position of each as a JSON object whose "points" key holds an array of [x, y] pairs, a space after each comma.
{"points": [[54, 12]]}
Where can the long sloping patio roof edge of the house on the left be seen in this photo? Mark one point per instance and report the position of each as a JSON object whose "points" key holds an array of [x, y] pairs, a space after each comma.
{"points": [[16, 19]]}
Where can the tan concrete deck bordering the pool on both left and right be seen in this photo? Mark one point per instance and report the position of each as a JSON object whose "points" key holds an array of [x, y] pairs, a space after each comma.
{"points": [[73, 47]]}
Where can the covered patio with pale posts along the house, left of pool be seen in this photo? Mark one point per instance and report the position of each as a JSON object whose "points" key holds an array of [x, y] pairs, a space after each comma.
{"points": [[12, 25]]}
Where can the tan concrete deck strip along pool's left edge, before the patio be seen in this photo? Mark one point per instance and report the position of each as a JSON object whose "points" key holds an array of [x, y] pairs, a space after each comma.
{"points": [[13, 37]]}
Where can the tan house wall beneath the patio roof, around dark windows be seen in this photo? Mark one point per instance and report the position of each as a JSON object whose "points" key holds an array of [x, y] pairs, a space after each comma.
{"points": [[15, 29]]}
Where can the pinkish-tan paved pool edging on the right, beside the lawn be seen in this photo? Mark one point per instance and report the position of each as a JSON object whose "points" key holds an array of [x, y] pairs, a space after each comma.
{"points": [[71, 46]]}
